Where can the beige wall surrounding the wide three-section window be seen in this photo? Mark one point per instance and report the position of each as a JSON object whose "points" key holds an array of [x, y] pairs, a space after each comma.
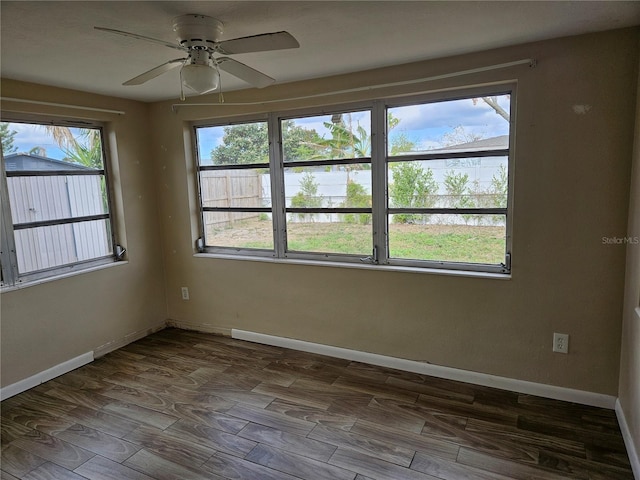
{"points": [[571, 189]]}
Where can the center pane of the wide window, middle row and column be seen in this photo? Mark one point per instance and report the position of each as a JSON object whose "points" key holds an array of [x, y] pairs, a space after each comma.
{"points": [[333, 186]]}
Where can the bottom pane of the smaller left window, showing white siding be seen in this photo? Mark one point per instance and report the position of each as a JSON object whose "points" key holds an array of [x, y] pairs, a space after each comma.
{"points": [[56, 245]]}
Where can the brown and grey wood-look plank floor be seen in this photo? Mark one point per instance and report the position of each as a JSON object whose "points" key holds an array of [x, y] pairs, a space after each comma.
{"points": [[182, 405]]}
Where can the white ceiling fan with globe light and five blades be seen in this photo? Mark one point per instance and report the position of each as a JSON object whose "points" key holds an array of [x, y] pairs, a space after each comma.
{"points": [[198, 36]]}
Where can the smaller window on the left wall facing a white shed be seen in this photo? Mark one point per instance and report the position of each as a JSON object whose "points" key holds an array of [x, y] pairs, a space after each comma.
{"points": [[55, 200]]}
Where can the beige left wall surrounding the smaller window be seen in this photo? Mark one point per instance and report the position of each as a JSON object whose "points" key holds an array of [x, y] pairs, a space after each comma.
{"points": [[47, 324]]}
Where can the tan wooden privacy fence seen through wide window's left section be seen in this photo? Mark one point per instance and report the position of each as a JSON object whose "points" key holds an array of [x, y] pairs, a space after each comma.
{"points": [[230, 188]]}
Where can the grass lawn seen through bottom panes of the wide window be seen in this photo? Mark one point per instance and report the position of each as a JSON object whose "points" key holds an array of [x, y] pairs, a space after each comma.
{"points": [[455, 243]]}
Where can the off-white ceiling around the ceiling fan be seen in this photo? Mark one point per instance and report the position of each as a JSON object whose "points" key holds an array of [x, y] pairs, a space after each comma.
{"points": [[54, 43]]}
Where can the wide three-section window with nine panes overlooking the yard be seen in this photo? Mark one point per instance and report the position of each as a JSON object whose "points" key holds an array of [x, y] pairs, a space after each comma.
{"points": [[422, 182]]}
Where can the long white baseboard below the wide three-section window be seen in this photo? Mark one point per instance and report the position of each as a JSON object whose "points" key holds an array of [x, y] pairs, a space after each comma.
{"points": [[503, 383]]}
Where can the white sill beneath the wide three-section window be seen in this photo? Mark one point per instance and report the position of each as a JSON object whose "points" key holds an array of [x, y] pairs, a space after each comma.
{"points": [[384, 268]]}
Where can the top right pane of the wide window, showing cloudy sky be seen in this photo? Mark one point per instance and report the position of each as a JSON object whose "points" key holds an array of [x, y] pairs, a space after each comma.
{"points": [[454, 126]]}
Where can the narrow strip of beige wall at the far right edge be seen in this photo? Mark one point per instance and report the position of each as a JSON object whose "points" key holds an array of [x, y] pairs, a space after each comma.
{"points": [[629, 391]]}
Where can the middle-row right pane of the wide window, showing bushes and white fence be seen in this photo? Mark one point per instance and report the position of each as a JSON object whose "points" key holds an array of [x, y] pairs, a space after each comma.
{"points": [[480, 182]]}
